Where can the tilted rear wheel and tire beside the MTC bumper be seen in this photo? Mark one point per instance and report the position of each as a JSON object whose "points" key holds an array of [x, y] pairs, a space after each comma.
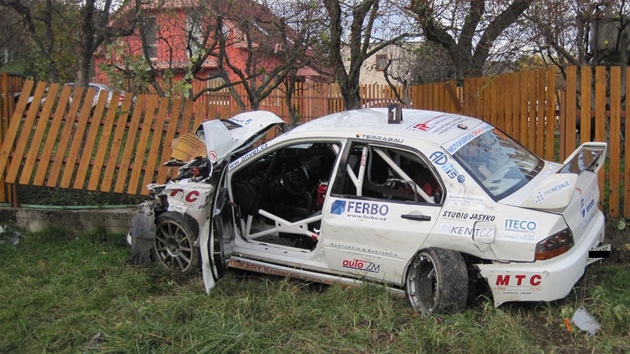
{"points": [[437, 282]]}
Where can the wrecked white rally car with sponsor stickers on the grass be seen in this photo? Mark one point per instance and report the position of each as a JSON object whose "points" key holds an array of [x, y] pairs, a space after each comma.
{"points": [[431, 204]]}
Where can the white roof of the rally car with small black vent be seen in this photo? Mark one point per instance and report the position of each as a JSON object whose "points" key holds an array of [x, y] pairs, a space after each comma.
{"points": [[428, 126]]}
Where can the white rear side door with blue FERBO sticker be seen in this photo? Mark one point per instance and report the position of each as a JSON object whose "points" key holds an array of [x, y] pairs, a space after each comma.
{"points": [[383, 203]]}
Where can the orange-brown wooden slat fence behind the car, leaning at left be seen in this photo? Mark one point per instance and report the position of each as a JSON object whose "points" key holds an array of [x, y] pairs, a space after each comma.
{"points": [[68, 142]]}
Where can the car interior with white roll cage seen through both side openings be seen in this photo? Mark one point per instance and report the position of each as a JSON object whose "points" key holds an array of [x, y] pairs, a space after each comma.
{"points": [[279, 198]]}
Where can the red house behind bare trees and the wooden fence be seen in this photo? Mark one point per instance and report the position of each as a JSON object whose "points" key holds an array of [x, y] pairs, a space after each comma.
{"points": [[176, 28]]}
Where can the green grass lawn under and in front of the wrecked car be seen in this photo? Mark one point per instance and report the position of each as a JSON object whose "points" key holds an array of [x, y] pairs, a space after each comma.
{"points": [[73, 293]]}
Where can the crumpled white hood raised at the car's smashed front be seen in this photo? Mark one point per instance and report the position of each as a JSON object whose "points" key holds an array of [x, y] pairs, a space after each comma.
{"points": [[226, 136]]}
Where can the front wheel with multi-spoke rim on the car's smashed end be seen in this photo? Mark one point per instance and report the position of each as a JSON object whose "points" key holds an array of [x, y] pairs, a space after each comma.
{"points": [[174, 244]]}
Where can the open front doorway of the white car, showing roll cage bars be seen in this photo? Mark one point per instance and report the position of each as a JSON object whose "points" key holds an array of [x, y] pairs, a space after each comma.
{"points": [[280, 197]]}
